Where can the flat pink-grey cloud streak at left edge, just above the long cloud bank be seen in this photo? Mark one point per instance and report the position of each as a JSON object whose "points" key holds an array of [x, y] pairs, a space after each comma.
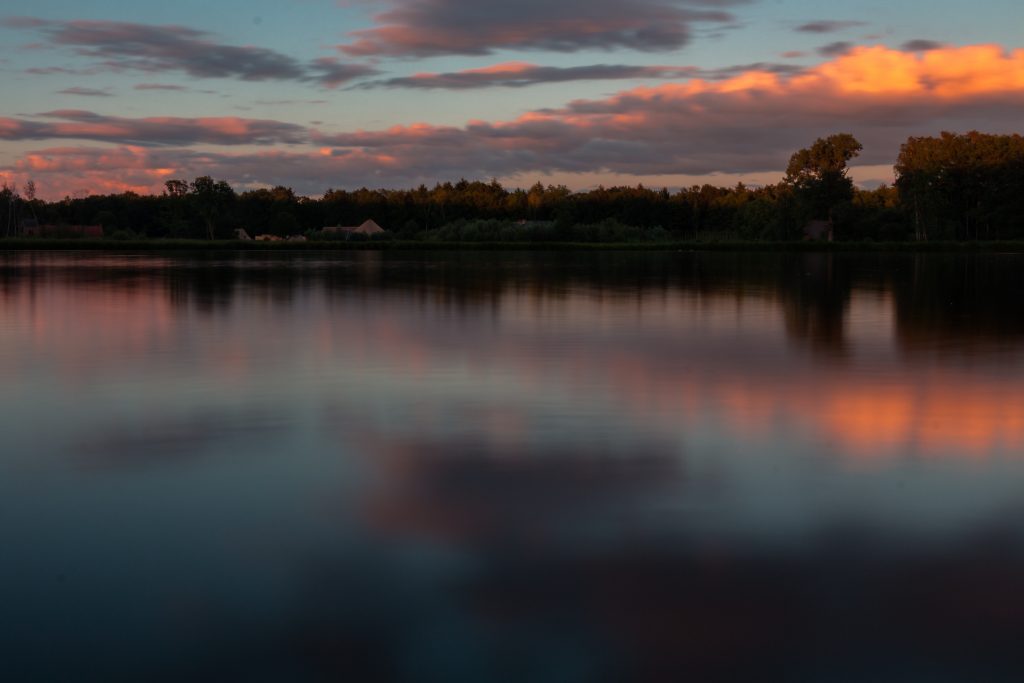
{"points": [[75, 124]]}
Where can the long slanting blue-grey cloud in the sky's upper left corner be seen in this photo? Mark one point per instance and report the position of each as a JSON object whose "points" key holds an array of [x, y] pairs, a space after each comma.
{"points": [[123, 47]]}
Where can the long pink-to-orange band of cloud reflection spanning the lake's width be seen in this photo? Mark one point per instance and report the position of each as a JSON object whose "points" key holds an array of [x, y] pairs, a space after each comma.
{"points": [[676, 365]]}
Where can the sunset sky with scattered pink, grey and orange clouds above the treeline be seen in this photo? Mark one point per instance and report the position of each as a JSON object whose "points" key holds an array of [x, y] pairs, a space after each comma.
{"points": [[109, 97]]}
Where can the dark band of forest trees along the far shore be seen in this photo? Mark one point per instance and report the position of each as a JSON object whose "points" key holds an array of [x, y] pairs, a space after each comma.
{"points": [[951, 188]]}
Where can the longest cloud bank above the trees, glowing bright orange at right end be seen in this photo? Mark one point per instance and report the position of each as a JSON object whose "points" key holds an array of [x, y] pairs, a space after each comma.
{"points": [[750, 123]]}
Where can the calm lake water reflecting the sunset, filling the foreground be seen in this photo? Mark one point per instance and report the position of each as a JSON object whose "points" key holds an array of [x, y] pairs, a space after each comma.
{"points": [[522, 467]]}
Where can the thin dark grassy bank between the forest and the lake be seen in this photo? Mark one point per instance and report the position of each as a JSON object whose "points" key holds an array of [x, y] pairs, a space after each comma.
{"points": [[233, 245]]}
